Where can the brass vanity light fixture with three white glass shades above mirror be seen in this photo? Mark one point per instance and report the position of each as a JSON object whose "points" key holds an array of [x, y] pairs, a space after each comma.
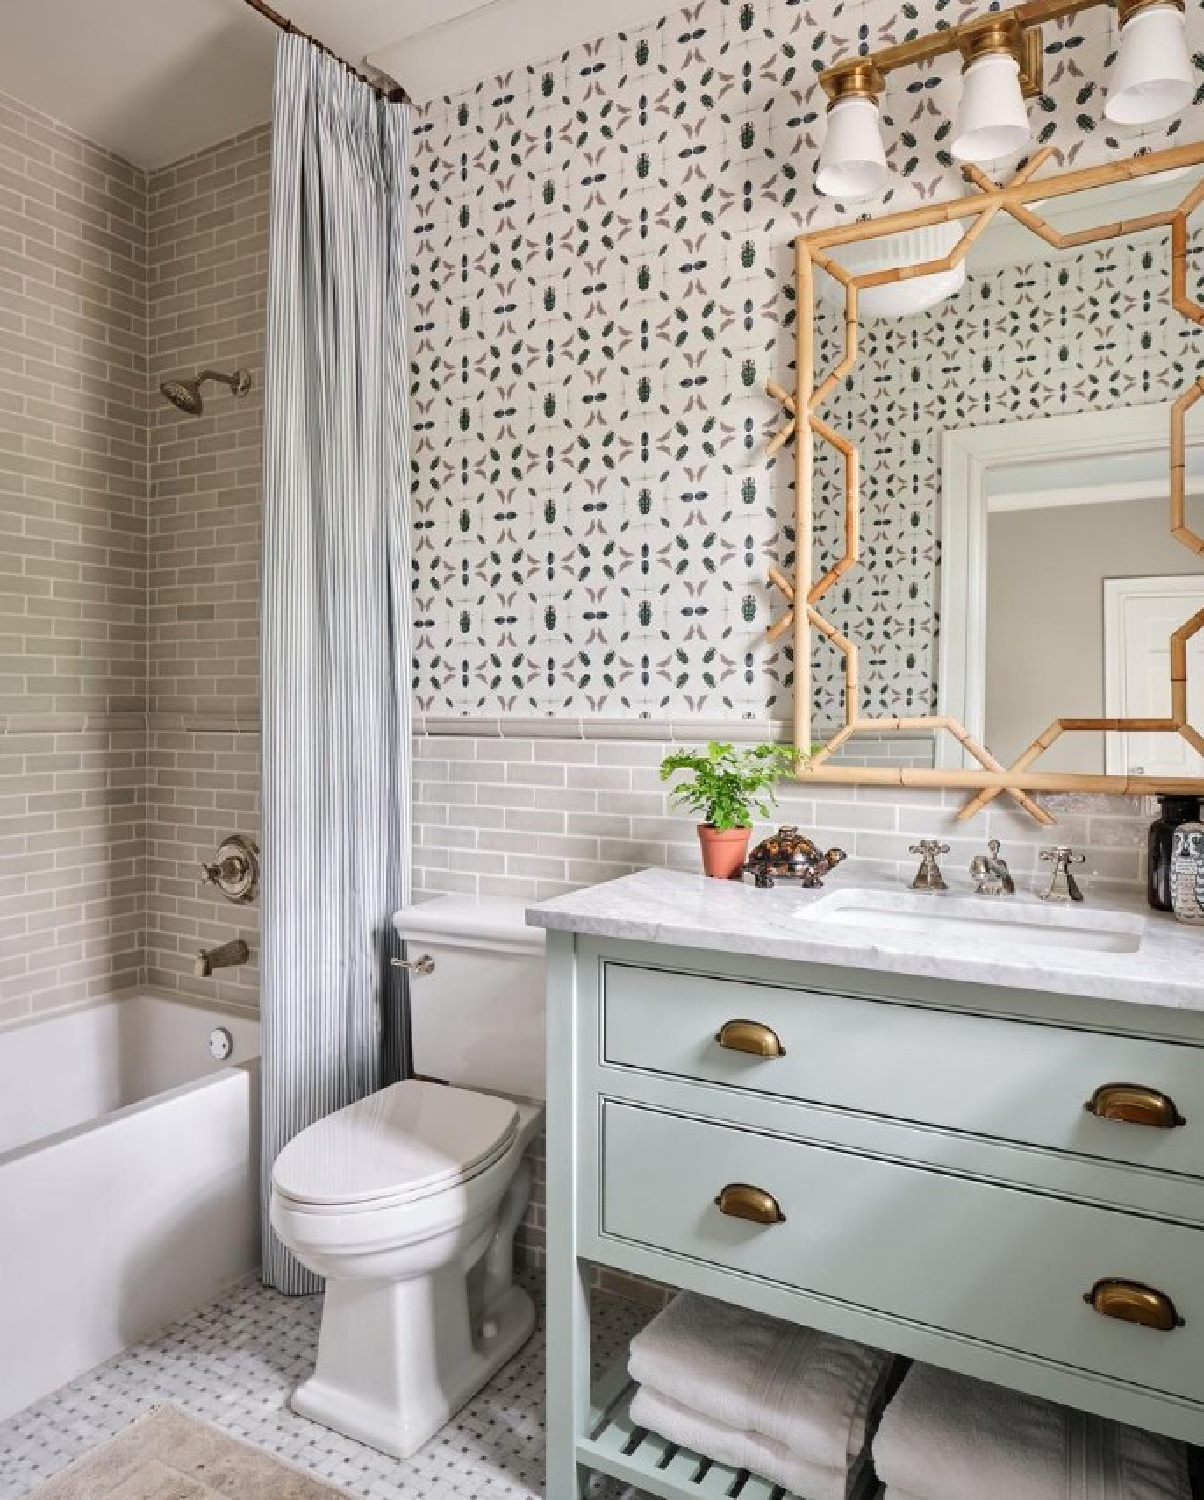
{"points": [[1002, 67]]}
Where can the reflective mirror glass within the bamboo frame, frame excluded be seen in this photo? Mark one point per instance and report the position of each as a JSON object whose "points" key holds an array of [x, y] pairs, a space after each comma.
{"points": [[1014, 430]]}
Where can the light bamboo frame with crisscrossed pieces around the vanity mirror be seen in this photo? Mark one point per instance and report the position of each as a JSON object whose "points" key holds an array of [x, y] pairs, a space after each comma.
{"points": [[806, 425]]}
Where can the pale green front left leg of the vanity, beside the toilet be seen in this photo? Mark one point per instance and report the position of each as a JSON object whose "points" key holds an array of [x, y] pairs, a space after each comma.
{"points": [[568, 1318]]}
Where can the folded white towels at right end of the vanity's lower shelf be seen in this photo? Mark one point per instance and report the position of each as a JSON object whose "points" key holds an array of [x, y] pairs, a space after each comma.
{"points": [[945, 1438]]}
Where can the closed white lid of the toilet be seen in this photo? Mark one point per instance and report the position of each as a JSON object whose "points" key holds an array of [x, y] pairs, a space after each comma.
{"points": [[410, 1139]]}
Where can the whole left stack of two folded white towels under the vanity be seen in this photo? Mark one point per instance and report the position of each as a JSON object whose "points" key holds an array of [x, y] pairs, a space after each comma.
{"points": [[753, 1393]]}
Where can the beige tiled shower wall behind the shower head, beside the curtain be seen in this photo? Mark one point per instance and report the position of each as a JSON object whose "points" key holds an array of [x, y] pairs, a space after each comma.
{"points": [[208, 310]]}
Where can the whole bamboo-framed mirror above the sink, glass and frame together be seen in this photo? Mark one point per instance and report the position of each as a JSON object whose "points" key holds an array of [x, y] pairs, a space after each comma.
{"points": [[890, 412]]}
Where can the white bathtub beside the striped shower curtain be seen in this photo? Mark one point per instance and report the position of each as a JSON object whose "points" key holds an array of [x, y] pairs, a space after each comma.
{"points": [[128, 1181]]}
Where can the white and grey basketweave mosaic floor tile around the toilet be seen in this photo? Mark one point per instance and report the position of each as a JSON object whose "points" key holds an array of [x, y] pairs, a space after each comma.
{"points": [[235, 1363]]}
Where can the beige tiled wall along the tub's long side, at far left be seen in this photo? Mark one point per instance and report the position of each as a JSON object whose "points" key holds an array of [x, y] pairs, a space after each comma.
{"points": [[73, 565]]}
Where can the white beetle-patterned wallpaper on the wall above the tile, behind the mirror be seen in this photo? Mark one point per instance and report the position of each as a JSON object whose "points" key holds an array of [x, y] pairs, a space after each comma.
{"points": [[601, 289]]}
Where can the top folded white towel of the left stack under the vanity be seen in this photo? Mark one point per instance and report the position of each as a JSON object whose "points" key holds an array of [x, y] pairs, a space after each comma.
{"points": [[807, 1393]]}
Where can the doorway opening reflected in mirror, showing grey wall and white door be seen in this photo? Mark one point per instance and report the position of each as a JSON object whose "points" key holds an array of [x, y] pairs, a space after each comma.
{"points": [[1085, 587]]}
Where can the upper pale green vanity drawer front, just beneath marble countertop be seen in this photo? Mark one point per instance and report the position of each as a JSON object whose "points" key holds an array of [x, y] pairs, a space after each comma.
{"points": [[1008, 1081]]}
